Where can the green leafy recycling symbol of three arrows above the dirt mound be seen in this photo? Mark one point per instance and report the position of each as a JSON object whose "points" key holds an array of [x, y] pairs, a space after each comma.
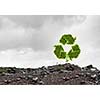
{"points": [[72, 53]]}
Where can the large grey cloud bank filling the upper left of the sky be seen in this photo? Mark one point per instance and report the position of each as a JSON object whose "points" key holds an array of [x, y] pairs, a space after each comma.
{"points": [[34, 31]]}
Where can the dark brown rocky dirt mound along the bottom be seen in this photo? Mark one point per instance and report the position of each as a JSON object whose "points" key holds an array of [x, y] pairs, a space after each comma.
{"points": [[62, 74]]}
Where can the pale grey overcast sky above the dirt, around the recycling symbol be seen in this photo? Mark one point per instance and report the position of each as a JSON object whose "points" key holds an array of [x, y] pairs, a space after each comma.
{"points": [[27, 40]]}
